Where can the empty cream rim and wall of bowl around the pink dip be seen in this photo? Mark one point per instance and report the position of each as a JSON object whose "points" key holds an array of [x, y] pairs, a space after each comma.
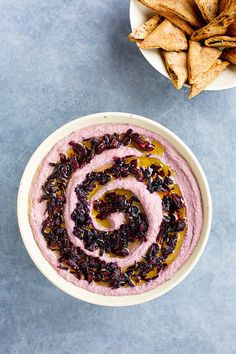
{"points": [[34, 251]]}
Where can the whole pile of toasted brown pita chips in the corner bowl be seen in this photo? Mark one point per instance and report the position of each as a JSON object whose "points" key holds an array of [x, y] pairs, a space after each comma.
{"points": [[197, 39]]}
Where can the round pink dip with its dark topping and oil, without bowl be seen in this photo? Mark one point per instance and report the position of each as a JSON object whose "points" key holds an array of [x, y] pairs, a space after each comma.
{"points": [[115, 209]]}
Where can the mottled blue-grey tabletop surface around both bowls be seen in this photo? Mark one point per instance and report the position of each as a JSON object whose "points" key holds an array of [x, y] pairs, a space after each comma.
{"points": [[64, 59]]}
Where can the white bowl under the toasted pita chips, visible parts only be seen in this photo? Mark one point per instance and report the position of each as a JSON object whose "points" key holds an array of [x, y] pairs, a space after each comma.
{"points": [[138, 15]]}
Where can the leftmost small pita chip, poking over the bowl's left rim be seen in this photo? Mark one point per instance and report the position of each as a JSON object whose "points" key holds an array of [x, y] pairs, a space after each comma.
{"points": [[138, 34]]}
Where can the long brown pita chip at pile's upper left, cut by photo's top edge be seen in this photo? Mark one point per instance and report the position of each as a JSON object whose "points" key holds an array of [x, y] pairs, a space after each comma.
{"points": [[186, 9]]}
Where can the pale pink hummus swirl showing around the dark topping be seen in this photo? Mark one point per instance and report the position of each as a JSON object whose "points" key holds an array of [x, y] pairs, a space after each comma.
{"points": [[151, 203]]}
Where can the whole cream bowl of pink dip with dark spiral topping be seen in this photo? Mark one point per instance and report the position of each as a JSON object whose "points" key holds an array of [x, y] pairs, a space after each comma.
{"points": [[114, 209]]}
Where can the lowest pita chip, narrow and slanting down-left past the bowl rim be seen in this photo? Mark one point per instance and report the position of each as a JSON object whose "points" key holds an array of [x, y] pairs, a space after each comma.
{"points": [[206, 78]]}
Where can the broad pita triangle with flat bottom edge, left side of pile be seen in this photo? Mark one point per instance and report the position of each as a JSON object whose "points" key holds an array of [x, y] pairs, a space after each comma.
{"points": [[165, 36]]}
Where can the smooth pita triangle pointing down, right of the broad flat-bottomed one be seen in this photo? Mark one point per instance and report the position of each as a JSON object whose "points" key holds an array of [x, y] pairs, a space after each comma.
{"points": [[200, 59]]}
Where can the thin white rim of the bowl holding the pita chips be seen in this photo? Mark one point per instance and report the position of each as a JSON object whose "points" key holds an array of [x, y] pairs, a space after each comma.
{"points": [[145, 53]]}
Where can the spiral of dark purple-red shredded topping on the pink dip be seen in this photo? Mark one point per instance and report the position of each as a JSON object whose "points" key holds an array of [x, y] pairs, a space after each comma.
{"points": [[116, 242]]}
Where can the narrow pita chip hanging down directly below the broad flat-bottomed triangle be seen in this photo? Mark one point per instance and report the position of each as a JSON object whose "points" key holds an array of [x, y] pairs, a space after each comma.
{"points": [[176, 65]]}
